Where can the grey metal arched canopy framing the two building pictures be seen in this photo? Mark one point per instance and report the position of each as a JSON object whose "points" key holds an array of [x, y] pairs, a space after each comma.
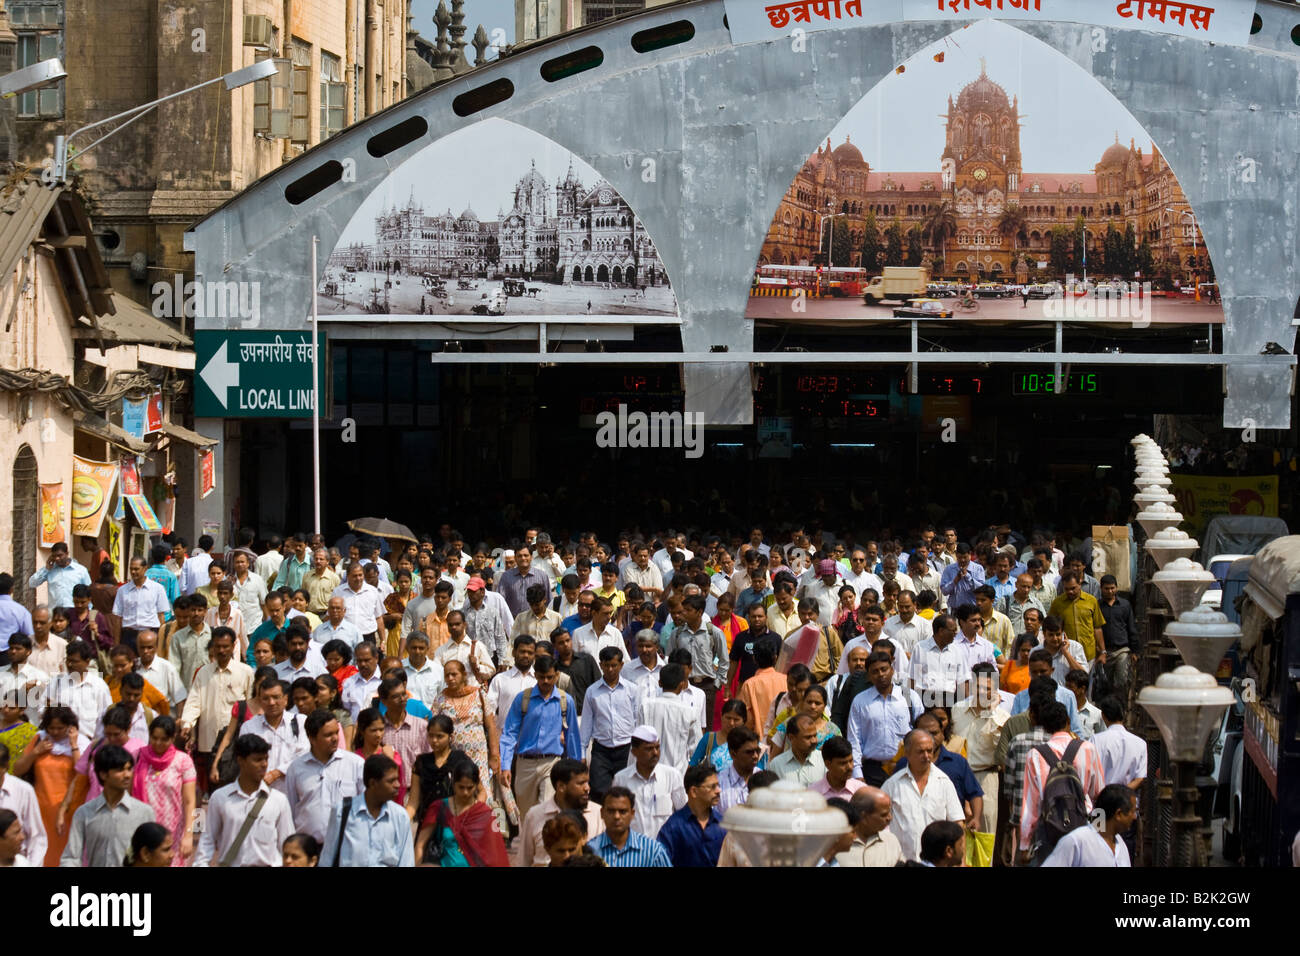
{"points": [[704, 137]]}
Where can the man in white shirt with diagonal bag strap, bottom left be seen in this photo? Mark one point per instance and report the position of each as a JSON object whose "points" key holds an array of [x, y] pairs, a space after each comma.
{"points": [[232, 806]]}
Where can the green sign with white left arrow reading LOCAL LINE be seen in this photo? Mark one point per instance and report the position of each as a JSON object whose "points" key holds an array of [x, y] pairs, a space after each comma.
{"points": [[257, 375]]}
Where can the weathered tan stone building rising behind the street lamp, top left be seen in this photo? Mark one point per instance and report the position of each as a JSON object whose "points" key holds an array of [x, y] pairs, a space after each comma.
{"points": [[340, 62]]}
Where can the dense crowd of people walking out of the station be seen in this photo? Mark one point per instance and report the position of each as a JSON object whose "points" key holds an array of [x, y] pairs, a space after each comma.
{"points": [[592, 704]]}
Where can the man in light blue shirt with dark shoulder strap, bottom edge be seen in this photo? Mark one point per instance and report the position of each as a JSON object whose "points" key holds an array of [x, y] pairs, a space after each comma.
{"points": [[376, 830]]}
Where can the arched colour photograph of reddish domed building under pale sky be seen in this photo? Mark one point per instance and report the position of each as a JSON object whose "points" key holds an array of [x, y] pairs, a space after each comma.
{"points": [[981, 211]]}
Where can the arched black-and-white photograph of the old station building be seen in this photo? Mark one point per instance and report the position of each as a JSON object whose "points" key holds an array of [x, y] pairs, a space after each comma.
{"points": [[561, 236]]}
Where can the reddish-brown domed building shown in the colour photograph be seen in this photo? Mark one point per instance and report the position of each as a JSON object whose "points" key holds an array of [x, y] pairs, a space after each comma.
{"points": [[981, 178]]}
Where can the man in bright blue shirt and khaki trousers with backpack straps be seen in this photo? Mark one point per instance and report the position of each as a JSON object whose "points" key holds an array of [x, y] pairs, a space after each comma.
{"points": [[548, 732]]}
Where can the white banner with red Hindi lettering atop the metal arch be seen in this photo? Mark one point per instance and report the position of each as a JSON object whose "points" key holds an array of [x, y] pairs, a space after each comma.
{"points": [[1221, 21]]}
